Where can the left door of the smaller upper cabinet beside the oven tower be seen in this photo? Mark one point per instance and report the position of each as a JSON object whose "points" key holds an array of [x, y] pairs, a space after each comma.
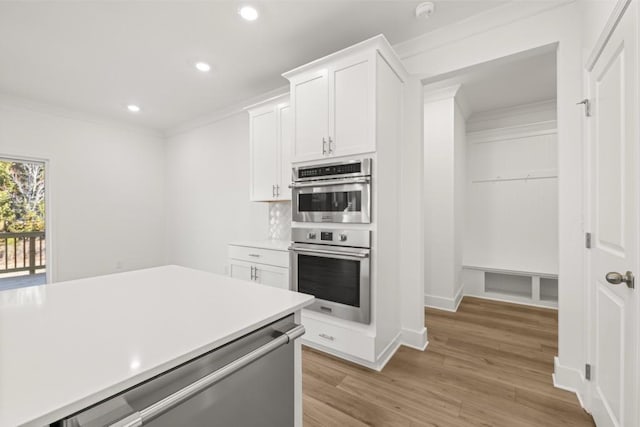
{"points": [[264, 154]]}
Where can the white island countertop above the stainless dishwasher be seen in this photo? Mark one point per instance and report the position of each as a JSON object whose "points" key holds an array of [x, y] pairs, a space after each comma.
{"points": [[68, 345]]}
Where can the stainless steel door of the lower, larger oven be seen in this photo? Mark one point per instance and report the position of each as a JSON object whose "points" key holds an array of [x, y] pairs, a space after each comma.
{"points": [[338, 277]]}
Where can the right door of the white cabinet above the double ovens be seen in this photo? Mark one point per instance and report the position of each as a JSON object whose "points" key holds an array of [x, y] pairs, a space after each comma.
{"points": [[352, 106]]}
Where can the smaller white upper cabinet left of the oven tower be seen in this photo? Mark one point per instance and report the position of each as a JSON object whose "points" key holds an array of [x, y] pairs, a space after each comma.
{"points": [[270, 150]]}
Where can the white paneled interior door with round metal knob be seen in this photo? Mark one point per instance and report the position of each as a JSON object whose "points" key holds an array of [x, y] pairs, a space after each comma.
{"points": [[613, 200]]}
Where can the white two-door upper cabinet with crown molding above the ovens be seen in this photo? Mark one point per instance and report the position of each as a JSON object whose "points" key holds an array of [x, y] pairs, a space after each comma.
{"points": [[334, 101]]}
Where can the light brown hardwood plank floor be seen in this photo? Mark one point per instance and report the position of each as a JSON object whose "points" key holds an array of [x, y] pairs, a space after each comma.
{"points": [[489, 364]]}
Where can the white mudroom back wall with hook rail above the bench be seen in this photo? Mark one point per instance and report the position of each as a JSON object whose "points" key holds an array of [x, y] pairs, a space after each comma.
{"points": [[513, 224]]}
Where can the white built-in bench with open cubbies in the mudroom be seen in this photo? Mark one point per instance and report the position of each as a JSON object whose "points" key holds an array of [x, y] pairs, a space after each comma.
{"points": [[504, 284]]}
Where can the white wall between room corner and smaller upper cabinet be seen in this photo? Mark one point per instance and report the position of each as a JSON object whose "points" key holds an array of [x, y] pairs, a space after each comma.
{"points": [[207, 193]]}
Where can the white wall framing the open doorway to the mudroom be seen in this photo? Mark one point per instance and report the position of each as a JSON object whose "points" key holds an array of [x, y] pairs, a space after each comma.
{"points": [[509, 31]]}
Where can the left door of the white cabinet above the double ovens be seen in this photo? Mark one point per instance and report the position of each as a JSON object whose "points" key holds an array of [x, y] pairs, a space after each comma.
{"points": [[310, 99]]}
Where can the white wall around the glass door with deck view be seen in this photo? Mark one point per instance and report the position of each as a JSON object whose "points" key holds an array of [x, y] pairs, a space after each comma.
{"points": [[105, 189]]}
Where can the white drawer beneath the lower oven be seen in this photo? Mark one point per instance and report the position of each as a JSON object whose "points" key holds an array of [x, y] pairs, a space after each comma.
{"points": [[343, 340]]}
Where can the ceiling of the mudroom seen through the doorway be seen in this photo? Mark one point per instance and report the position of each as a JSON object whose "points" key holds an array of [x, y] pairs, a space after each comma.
{"points": [[519, 79]]}
